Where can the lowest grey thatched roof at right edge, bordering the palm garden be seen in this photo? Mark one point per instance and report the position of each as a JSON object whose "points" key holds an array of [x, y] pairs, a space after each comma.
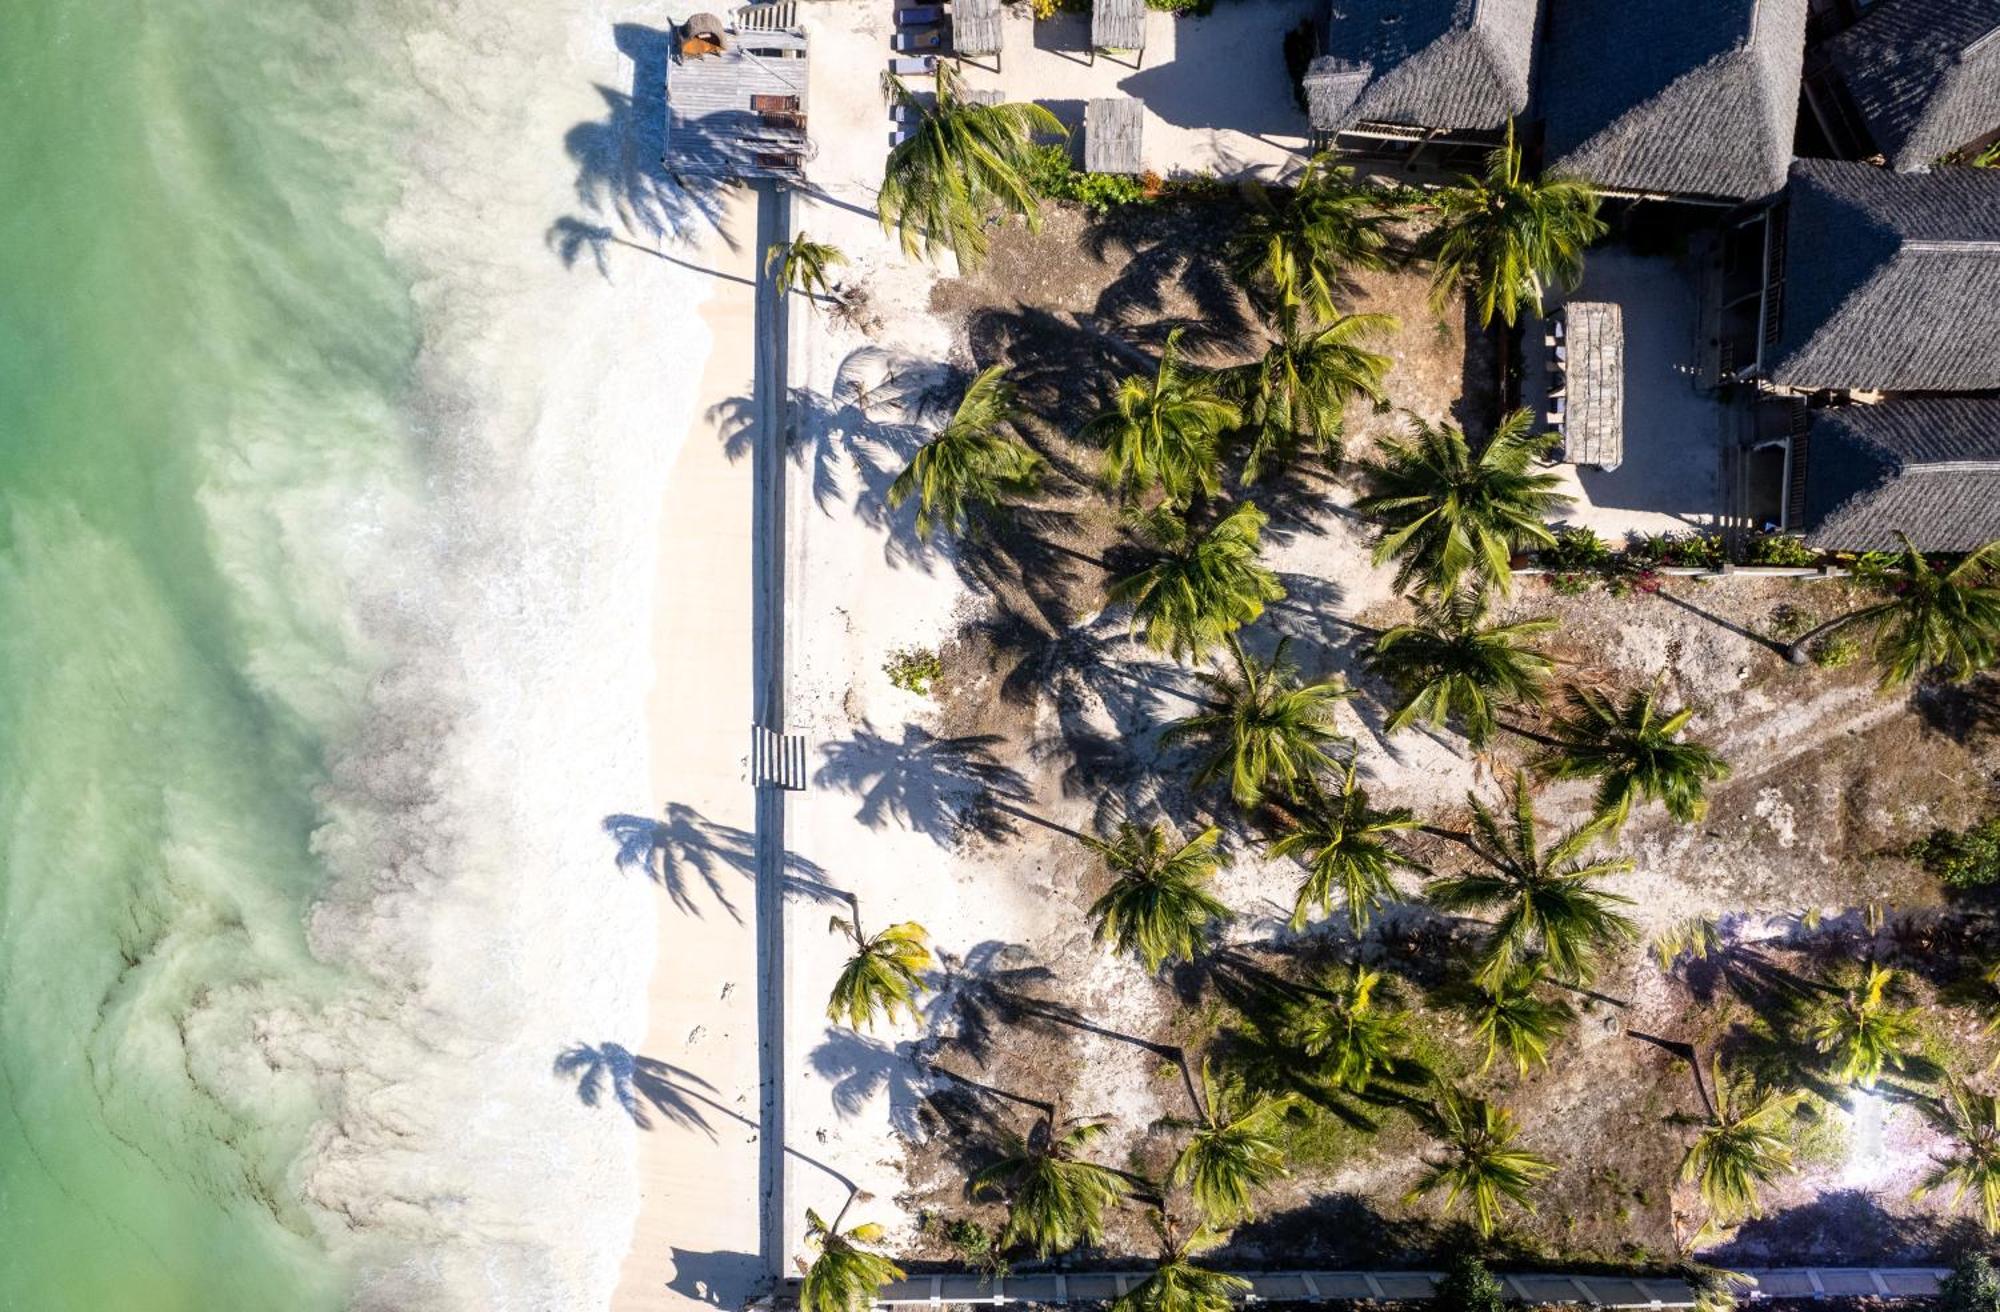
{"points": [[1929, 467]]}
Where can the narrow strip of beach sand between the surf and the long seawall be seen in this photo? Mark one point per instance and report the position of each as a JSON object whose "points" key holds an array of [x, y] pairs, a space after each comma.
{"points": [[697, 1235]]}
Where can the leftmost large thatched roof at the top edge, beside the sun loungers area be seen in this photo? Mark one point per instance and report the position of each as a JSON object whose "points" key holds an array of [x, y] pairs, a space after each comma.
{"points": [[1435, 65]]}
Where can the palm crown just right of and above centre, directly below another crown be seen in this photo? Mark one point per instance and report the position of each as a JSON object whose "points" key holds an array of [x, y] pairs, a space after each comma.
{"points": [[1201, 585]]}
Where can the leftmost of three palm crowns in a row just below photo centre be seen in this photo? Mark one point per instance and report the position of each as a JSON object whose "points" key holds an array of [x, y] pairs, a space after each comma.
{"points": [[1157, 905]]}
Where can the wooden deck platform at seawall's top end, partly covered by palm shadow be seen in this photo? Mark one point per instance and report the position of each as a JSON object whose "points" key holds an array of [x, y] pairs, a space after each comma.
{"points": [[737, 97]]}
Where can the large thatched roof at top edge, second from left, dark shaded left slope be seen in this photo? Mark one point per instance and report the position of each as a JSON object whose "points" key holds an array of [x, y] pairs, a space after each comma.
{"points": [[1675, 99]]}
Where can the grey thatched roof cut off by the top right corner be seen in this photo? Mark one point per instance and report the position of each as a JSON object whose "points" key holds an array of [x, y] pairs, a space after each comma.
{"points": [[1925, 77]]}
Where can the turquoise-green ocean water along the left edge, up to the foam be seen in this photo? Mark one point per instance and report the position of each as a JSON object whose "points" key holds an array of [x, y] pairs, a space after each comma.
{"points": [[203, 353]]}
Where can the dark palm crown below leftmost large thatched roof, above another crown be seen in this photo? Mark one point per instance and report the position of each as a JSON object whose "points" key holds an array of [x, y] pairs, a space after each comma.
{"points": [[1295, 247]]}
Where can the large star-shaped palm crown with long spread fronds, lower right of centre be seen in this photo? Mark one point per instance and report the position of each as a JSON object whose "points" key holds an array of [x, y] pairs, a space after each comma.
{"points": [[1547, 899]]}
